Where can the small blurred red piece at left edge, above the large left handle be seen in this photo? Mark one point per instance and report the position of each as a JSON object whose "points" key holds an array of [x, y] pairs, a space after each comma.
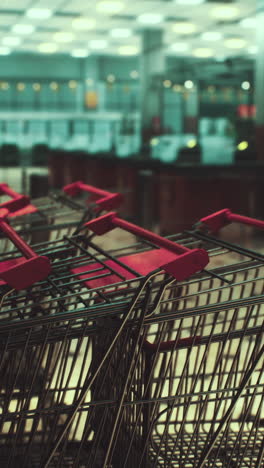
{"points": [[18, 205]]}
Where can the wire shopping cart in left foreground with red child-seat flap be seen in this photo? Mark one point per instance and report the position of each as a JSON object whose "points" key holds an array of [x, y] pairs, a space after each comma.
{"points": [[61, 340]]}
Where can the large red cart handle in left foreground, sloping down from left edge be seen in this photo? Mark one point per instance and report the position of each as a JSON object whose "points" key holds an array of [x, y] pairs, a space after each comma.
{"points": [[23, 272]]}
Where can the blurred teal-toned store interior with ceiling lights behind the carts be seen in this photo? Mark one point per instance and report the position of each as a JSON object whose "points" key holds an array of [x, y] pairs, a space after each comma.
{"points": [[162, 100]]}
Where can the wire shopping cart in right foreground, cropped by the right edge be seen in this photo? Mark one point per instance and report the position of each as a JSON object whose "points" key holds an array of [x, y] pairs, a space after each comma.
{"points": [[195, 396]]}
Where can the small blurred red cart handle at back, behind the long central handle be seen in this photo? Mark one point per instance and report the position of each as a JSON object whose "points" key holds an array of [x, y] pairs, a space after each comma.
{"points": [[108, 201]]}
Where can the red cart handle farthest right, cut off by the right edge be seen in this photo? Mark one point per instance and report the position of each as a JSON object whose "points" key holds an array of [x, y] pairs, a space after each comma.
{"points": [[222, 218]]}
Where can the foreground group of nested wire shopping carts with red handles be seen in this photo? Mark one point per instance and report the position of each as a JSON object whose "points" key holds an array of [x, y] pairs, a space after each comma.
{"points": [[149, 355]]}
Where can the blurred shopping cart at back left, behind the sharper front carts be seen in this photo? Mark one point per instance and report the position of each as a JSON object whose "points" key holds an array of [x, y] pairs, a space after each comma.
{"points": [[59, 213]]}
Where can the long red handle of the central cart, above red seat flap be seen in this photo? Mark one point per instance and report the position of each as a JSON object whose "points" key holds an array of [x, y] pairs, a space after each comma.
{"points": [[185, 263]]}
